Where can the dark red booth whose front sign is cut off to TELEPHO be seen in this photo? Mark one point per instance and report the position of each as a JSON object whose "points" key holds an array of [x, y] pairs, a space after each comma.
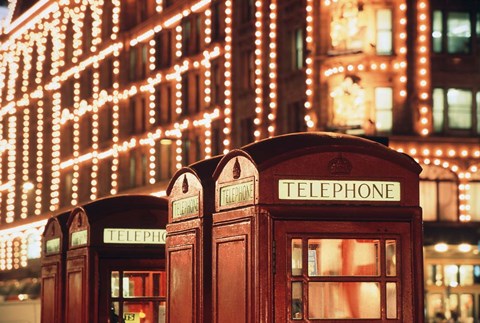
{"points": [[115, 269]]}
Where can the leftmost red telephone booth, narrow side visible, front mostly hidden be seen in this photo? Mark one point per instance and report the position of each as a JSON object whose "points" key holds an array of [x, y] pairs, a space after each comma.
{"points": [[54, 244]]}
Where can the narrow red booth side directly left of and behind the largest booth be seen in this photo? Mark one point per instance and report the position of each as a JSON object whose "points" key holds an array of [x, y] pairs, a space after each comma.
{"points": [[191, 192]]}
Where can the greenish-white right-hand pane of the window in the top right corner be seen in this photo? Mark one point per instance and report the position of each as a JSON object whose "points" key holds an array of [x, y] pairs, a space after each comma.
{"points": [[459, 32]]}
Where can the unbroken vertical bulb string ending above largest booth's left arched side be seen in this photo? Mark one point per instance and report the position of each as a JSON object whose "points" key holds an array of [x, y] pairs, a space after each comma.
{"points": [[227, 112]]}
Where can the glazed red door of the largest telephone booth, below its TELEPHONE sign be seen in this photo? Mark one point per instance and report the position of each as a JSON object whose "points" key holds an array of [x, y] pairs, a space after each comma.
{"points": [[343, 271]]}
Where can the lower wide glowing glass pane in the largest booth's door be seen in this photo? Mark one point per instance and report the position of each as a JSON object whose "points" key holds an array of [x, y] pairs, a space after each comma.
{"points": [[343, 300]]}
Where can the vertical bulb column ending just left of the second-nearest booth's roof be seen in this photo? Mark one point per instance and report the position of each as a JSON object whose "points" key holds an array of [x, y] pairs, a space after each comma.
{"points": [[151, 112]]}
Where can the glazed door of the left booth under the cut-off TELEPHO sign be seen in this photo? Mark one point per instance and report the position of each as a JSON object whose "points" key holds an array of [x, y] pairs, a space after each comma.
{"points": [[134, 293]]}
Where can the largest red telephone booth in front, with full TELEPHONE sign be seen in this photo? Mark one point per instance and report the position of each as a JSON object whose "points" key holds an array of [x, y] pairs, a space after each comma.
{"points": [[317, 227]]}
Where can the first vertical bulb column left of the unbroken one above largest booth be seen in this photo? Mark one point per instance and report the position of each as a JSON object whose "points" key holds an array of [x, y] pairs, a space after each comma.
{"points": [[208, 80]]}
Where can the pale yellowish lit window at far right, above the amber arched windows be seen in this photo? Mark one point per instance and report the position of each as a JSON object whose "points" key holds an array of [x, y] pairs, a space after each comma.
{"points": [[452, 110]]}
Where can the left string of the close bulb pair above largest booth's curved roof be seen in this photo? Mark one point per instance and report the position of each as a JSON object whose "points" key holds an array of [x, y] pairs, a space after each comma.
{"points": [[258, 69]]}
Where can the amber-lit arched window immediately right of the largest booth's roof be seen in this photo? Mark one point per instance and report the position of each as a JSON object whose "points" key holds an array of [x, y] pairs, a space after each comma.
{"points": [[438, 194]]}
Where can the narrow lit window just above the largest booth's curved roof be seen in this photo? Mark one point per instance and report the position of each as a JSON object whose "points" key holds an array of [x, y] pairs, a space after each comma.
{"points": [[383, 109]]}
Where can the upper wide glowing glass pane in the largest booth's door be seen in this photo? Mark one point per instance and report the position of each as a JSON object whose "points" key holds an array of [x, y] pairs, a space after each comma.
{"points": [[343, 257]]}
